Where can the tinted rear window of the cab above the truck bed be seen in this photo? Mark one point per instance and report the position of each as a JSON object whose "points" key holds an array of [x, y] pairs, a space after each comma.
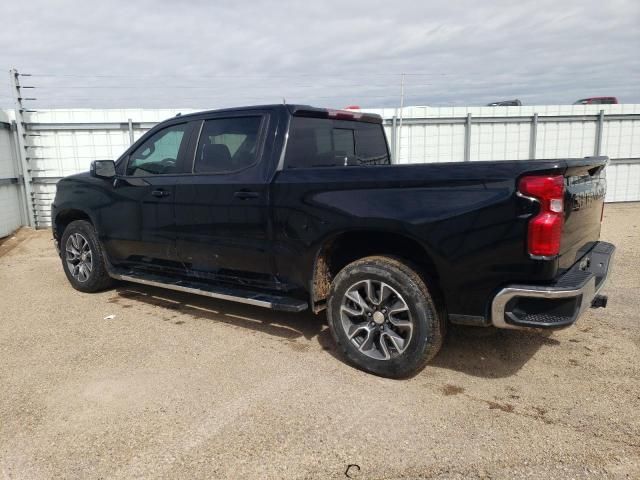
{"points": [[326, 142]]}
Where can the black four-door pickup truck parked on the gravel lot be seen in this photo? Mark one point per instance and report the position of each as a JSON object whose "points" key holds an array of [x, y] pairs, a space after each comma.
{"points": [[292, 207]]}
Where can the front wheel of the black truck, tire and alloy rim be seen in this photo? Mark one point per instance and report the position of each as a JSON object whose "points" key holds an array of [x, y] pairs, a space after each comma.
{"points": [[80, 246]]}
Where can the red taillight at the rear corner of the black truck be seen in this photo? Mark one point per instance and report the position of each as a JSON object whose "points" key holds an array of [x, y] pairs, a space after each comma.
{"points": [[545, 229]]}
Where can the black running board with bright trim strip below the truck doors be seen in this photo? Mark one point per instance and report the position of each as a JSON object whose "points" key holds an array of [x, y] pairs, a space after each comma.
{"points": [[240, 295]]}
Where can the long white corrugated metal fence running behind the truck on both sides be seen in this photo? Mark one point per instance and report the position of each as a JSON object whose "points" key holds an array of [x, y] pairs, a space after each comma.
{"points": [[63, 142]]}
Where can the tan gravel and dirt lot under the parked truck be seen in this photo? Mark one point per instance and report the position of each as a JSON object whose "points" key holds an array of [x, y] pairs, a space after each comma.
{"points": [[178, 386]]}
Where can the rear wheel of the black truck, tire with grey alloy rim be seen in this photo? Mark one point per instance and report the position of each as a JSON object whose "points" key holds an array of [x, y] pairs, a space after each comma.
{"points": [[382, 342]]}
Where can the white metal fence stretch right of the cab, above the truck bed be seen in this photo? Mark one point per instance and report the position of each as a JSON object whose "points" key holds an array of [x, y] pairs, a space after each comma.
{"points": [[520, 133]]}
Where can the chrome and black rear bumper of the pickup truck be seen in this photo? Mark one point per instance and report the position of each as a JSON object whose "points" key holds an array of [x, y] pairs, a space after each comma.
{"points": [[557, 305]]}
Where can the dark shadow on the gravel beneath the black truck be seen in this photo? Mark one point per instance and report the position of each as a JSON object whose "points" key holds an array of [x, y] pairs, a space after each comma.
{"points": [[480, 352]]}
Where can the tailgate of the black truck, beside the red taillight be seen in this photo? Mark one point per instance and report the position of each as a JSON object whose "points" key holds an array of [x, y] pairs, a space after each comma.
{"points": [[585, 188]]}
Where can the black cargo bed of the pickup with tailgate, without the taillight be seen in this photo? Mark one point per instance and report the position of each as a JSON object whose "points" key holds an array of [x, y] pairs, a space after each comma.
{"points": [[466, 216]]}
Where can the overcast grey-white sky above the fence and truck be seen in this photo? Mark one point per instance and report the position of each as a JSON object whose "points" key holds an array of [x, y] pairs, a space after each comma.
{"points": [[212, 54]]}
